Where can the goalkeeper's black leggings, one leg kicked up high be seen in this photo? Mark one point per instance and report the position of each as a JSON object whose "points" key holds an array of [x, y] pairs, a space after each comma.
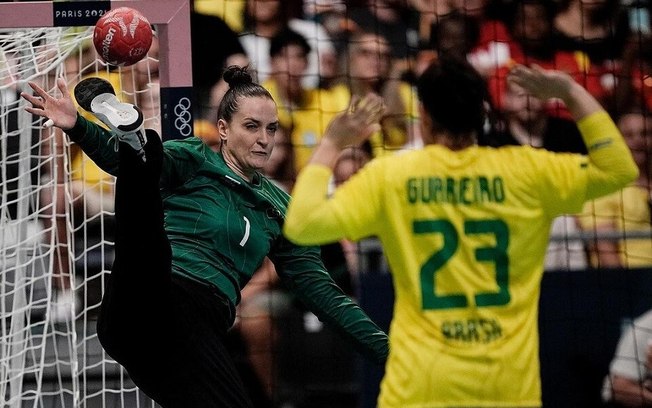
{"points": [[168, 332]]}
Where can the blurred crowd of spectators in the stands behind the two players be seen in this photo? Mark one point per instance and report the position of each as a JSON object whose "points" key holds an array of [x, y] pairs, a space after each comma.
{"points": [[315, 55]]}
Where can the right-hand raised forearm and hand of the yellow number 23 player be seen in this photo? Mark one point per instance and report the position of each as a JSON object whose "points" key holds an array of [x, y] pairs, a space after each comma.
{"points": [[611, 165]]}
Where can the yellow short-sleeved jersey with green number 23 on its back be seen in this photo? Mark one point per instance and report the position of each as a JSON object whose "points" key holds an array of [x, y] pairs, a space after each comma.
{"points": [[464, 331]]}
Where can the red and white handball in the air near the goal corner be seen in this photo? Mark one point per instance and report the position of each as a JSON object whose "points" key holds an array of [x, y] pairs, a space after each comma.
{"points": [[122, 36]]}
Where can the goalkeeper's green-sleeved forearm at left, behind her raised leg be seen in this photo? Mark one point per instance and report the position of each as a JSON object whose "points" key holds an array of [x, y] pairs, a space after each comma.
{"points": [[96, 142]]}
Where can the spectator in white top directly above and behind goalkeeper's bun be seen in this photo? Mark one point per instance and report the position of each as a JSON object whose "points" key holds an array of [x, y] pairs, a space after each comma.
{"points": [[264, 19]]}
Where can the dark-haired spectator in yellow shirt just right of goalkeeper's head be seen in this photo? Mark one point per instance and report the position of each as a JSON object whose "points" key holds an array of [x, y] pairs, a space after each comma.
{"points": [[303, 112]]}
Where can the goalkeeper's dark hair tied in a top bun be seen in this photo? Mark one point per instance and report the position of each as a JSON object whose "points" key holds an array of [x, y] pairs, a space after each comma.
{"points": [[241, 85]]}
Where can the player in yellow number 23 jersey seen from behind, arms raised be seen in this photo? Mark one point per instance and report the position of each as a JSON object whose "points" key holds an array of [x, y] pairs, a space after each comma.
{"points": [[464, 228]]}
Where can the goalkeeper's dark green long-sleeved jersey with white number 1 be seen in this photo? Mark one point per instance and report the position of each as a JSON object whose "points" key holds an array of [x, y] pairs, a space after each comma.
{"points": [[221, 227]]}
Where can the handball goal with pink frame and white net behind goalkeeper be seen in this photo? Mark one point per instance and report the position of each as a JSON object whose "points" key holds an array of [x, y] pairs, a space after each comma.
{"points": [[56, 207]]}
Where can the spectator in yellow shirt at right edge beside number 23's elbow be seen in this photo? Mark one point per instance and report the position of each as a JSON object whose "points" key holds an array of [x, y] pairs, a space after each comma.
{"points": [[626, 211]]}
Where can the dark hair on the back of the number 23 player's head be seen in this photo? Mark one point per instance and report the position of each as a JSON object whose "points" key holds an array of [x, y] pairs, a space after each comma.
{"points": [[455, 96]]}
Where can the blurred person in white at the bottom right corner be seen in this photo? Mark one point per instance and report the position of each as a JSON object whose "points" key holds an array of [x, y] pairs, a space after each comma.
{"points": [[629, 383]]}
